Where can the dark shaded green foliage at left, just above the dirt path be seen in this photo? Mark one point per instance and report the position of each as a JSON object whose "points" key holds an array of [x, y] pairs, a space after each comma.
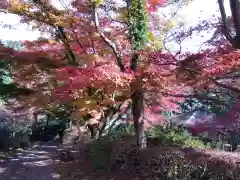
{"points": [[20, 136]]}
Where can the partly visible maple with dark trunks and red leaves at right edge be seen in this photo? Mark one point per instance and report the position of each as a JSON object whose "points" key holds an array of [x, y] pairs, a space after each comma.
{"points": [[227, 37]]}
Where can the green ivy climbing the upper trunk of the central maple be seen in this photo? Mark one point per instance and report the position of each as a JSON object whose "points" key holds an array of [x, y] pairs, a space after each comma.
{"points": [[138, 25]]}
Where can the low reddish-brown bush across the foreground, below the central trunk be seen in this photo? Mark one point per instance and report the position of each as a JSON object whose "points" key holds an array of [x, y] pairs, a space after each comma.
{"points": [[117, 158]]}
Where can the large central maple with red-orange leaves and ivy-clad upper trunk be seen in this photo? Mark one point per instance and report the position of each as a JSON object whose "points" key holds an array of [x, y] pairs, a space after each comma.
{"points": [[94, 62]]}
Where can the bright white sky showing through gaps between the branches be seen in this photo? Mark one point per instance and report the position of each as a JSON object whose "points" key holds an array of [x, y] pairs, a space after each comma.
{"points": [[190, 15]]}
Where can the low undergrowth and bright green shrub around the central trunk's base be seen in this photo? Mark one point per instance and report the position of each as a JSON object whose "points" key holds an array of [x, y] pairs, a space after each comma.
{"points": [[163, 159]]}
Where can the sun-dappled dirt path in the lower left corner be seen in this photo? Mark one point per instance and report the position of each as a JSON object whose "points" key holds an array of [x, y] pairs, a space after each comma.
{"points": [[32, 164]]}
